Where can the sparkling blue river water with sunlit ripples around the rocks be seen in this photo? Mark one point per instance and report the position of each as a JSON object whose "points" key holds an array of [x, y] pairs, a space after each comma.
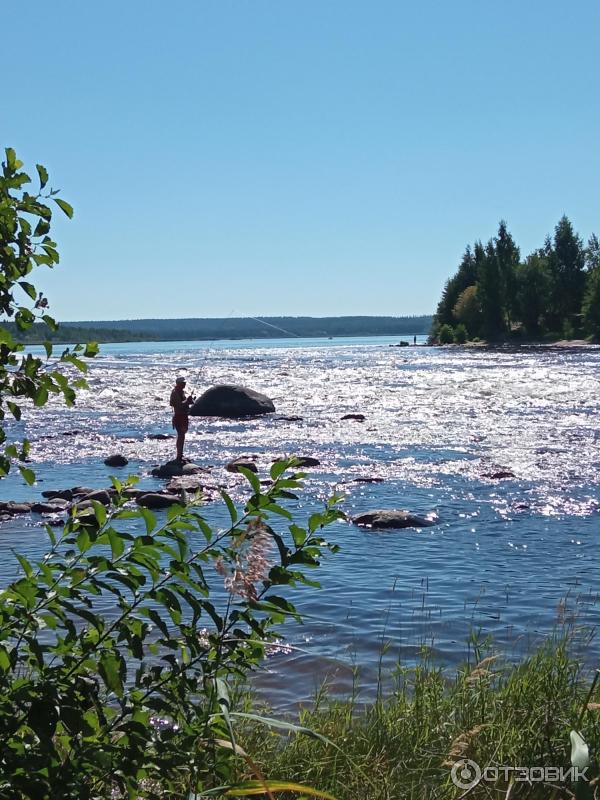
{"points": [[504, 446]]}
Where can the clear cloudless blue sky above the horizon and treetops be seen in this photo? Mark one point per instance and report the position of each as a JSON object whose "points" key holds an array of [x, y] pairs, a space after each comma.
{"points": [[297, 156]]}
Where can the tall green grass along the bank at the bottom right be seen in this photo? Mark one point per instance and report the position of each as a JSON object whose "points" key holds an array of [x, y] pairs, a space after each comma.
{"points": [[404, 745]]}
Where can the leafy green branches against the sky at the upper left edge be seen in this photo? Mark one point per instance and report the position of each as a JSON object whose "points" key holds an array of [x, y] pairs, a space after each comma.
{"points": [[25, 243]]}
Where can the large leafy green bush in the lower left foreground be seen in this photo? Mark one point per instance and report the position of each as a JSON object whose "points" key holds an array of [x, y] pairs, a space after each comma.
{"points": [[119, 648]]}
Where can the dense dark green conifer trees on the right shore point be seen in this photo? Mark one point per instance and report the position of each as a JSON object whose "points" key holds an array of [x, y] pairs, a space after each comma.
{"points": [[553, 293]]}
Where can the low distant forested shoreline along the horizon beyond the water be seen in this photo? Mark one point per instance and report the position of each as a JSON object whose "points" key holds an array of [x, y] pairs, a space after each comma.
{"points": [[217, 328]]}
